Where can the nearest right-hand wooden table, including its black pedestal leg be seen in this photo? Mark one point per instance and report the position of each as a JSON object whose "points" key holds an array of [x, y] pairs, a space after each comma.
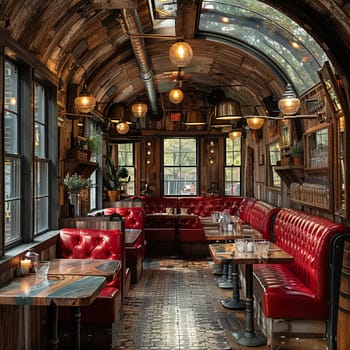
{"points": [[226, 252]]}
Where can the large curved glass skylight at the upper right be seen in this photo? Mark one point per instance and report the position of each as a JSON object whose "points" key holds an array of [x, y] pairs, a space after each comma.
{"points": [[269, 32]]}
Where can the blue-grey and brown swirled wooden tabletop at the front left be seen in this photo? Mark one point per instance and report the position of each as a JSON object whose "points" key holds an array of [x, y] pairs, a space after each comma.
{"points": [[60, 290]]}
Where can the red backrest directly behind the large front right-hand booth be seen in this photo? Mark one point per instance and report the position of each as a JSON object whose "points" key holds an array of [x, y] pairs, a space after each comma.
{"points": [[261, 216]]}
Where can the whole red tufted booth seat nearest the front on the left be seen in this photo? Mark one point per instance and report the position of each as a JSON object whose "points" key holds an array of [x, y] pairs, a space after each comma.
{"points": [[74, 243]]}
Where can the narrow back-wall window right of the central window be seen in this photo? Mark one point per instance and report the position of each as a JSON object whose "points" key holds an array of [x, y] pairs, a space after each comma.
{"points": [[233, 156]]}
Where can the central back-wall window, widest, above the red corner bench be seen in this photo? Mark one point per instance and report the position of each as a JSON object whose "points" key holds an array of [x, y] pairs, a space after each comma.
{"points": [[180, 166]]}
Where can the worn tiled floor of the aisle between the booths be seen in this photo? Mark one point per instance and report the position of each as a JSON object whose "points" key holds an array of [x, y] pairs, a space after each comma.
{"points": [[176, 306]]}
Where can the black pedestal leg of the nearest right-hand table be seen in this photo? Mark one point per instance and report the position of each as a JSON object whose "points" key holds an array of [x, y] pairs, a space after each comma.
{"points": [[250, 337]]}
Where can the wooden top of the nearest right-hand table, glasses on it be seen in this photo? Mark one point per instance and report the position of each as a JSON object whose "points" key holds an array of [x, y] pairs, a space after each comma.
{"points": [[225, 252]]}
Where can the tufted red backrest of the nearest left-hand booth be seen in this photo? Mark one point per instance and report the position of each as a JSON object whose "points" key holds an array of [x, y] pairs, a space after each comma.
{"points": [[77, 243]]}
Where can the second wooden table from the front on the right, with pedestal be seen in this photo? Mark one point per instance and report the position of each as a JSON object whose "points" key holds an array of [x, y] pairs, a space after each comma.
{"points": [[214, 234]]}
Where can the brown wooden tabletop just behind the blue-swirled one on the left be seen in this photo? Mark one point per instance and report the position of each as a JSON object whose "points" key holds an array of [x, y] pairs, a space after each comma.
{"points": [[85, 267]]}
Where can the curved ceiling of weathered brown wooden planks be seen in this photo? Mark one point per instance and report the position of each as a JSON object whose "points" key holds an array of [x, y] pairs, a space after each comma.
{"points": [[66, 34]]}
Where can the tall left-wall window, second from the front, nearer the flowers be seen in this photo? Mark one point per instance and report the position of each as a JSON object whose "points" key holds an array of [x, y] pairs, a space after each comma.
{"points": [[41, 170]]}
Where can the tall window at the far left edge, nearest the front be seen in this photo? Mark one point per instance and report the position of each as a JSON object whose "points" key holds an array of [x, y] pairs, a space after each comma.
{"points": [[12, 166]]}
